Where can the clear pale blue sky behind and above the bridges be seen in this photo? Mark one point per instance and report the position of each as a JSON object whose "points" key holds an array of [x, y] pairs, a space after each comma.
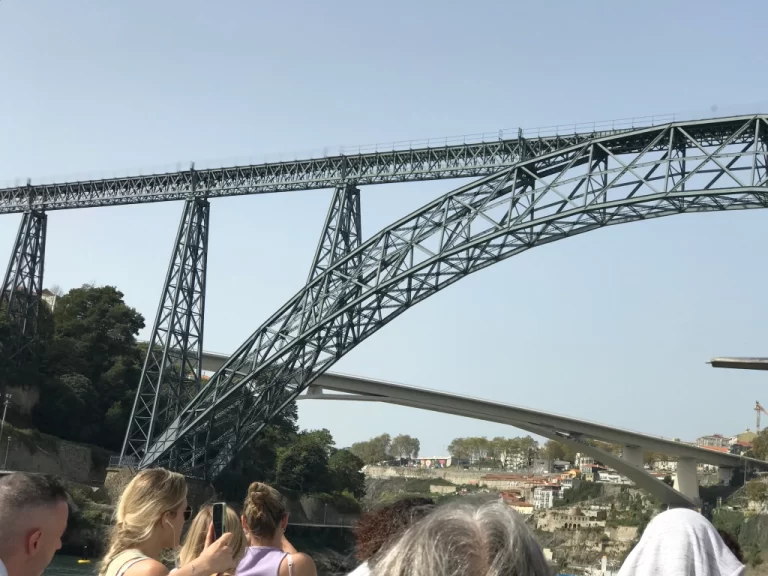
{"points": [[613, 326]]}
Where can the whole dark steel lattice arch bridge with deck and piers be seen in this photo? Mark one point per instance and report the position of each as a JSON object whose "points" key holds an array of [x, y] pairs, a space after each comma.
{"points": [[532, 192]]}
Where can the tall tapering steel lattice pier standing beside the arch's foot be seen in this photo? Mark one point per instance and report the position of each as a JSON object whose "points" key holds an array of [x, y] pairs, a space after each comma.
{"points": [[171, 375]]}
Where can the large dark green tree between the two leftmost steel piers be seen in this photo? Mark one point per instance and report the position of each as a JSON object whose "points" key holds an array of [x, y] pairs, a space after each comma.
{"points": [[92, 365]]}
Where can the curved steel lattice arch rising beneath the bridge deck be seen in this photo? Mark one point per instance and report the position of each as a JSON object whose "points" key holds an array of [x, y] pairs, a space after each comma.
{"points": [[602, 182]]}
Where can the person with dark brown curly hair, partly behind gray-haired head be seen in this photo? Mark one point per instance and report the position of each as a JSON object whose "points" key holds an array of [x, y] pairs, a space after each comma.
{"points": [[378, 528]]}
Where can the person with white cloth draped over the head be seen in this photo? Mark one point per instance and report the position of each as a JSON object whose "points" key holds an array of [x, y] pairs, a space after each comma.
{"points": [[681, 542]]}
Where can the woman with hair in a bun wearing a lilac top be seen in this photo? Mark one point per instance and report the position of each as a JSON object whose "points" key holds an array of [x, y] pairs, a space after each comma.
{"points": [[269, 553]]}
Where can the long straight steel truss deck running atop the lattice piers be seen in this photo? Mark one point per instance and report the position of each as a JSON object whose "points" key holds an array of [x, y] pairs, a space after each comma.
{"points": [[454, 161]]}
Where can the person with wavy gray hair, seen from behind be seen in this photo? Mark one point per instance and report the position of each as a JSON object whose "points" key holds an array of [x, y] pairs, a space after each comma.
{"points": [[462, 539]]}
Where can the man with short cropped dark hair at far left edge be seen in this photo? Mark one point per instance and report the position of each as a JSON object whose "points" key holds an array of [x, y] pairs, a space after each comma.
{"points": [[33, 518]]}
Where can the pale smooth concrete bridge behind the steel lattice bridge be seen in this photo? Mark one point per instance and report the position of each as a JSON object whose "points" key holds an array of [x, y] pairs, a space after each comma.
{"points": [[565, 429]]}
